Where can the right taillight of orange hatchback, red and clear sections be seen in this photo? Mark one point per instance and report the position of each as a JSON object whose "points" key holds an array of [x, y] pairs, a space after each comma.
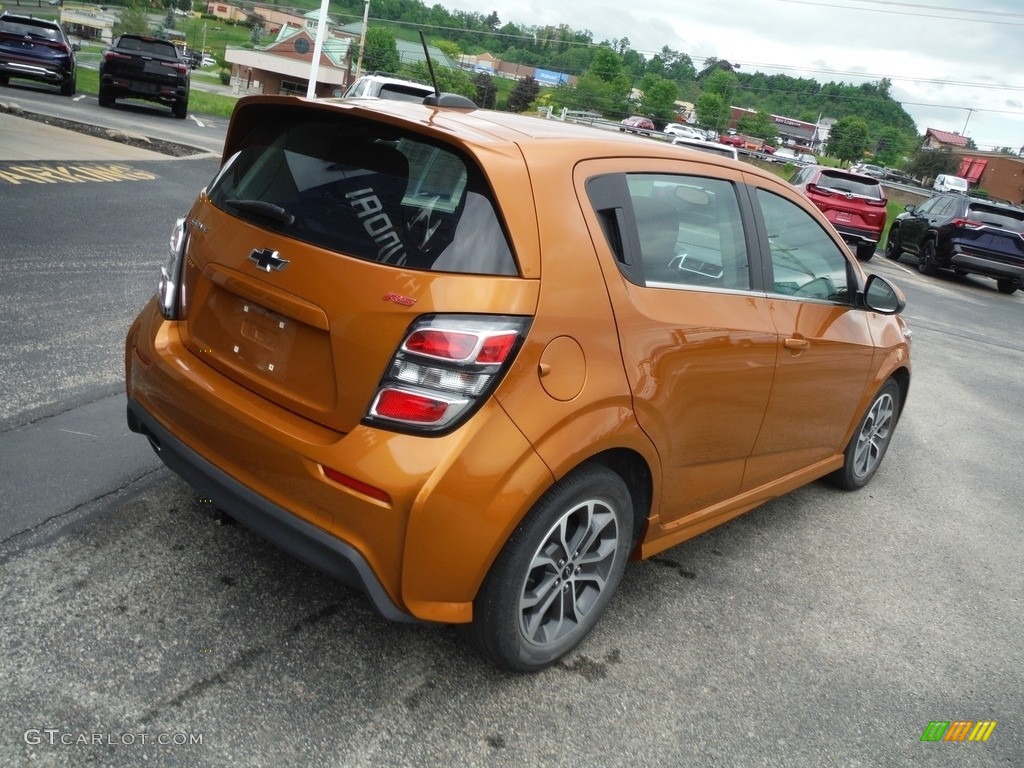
{"points": [[446, 367]]}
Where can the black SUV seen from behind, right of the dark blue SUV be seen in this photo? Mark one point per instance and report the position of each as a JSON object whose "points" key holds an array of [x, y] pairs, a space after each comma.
{"points": [[139, 67]]}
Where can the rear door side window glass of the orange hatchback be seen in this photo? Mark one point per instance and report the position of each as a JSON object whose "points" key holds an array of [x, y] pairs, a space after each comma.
{"points": [[691, 232]]}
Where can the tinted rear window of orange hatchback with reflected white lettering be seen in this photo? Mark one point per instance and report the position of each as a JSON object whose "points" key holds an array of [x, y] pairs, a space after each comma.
{"points": [[368, 192]]}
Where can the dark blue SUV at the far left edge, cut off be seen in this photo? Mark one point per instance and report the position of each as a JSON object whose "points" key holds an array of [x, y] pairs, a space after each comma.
{"points": [[36, 50]]}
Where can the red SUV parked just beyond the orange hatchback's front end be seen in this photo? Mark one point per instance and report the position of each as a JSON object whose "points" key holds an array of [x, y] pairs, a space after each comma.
{"points": [[856, 204]]}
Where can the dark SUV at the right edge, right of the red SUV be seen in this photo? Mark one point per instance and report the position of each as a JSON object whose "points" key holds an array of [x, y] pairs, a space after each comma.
{"points": [[968, 235]]}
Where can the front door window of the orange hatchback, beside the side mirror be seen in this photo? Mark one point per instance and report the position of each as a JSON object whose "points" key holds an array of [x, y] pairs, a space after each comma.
{"points": [[806, 263]]}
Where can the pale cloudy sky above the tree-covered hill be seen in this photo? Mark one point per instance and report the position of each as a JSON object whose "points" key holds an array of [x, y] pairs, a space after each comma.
{"points": [[954, 69]]}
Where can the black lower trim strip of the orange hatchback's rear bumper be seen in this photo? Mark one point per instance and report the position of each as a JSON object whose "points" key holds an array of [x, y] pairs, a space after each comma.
{"points": [[298, 538]]}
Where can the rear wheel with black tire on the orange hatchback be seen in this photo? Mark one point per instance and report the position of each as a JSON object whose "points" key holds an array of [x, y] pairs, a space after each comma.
{"points": [[540, 600]]}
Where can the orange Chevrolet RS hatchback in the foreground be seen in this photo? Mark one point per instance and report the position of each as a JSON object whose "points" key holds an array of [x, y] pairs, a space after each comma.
{"points": [[472, 363]]}
